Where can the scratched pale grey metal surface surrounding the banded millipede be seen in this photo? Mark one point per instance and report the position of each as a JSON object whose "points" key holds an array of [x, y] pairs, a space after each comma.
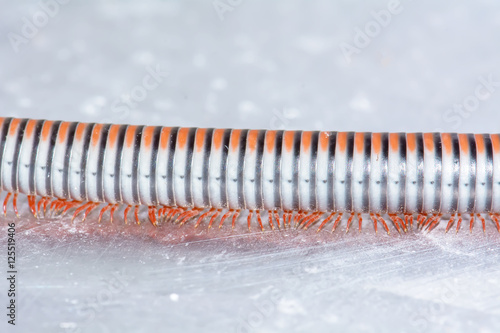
{"points": [[256, 65]]}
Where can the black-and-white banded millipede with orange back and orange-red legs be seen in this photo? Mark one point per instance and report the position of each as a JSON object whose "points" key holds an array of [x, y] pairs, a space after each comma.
{"points": [[274, 178]]}
